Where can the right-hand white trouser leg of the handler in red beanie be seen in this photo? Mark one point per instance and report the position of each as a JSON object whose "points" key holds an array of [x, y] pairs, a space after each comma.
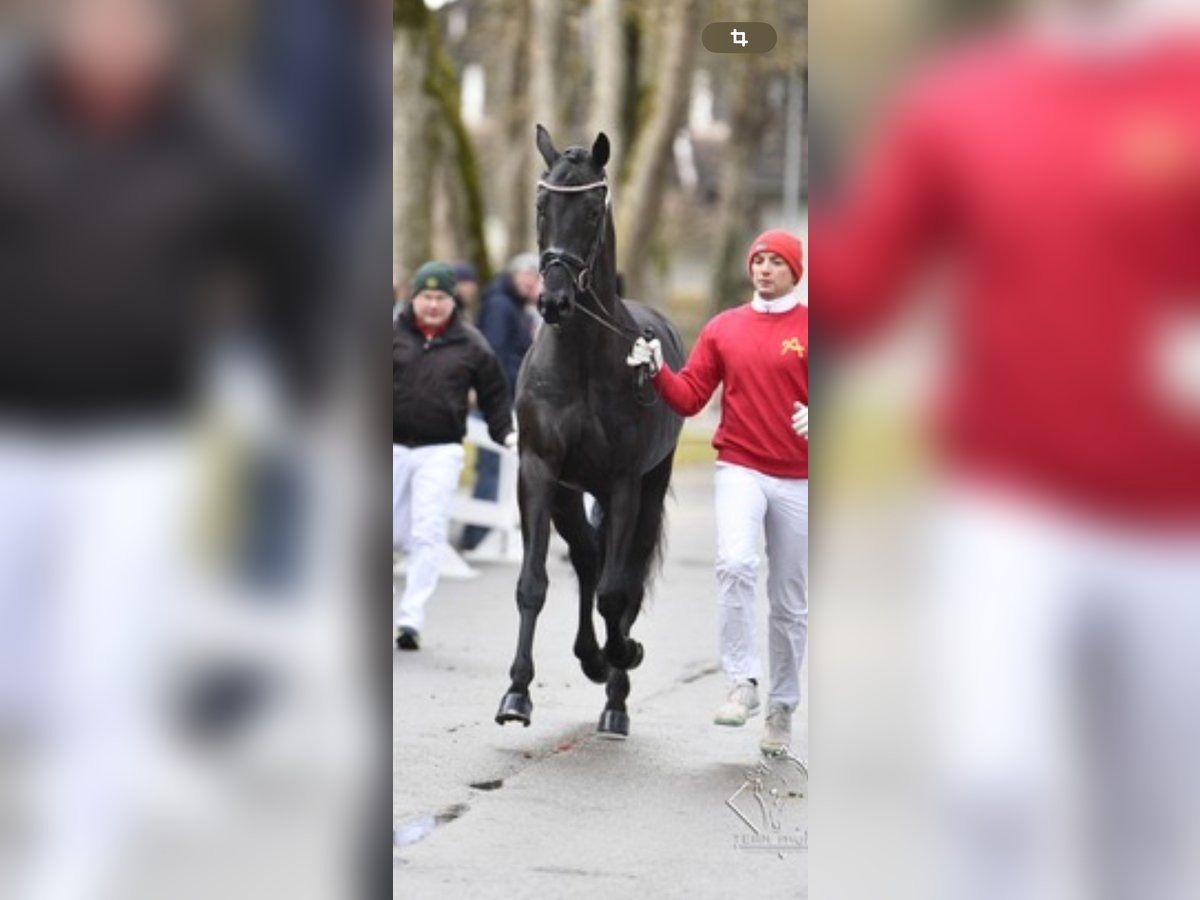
{"points": [[788, 586]]}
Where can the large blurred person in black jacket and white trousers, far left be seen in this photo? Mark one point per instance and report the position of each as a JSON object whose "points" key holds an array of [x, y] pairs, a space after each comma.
{"points": [[143, 219]]}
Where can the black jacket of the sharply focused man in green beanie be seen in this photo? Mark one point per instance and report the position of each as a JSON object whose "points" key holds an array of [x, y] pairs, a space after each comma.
{"points": [[431, 381]]}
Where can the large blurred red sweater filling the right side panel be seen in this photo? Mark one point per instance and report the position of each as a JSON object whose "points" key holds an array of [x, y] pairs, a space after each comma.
{"points": [[1067, 191]]}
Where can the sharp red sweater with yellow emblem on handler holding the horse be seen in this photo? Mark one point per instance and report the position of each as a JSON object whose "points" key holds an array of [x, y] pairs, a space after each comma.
{"points": [[764, 362]]}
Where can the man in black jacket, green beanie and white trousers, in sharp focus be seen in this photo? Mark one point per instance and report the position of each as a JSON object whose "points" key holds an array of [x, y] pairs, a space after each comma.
{"points": [[436, 361]]}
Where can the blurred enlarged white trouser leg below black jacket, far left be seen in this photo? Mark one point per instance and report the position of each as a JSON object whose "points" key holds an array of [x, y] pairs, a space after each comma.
{"points": [[118, 575]]}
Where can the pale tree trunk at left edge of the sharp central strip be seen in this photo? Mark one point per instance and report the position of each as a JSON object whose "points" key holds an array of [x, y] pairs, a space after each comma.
{"points": [[415, 152]]}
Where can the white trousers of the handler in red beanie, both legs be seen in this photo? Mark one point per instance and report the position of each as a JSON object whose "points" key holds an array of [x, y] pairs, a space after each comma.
{"points": [[748, 503]]}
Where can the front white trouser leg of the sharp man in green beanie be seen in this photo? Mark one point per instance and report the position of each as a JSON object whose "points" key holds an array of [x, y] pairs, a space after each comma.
{"points": [[436, 471]]}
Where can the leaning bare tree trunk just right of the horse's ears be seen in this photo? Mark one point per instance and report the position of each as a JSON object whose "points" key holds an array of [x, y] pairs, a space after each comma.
{"points": [[641, 197]]}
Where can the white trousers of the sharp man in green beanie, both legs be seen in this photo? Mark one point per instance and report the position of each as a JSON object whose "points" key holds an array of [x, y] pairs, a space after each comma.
{"points": [[424, 481]]}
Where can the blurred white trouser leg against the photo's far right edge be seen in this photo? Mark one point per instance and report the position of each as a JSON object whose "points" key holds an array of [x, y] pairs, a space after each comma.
{"points": [[1145, 797]]}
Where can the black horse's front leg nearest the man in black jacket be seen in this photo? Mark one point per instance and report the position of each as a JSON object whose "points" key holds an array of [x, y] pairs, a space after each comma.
{"points": [[536, 491]]}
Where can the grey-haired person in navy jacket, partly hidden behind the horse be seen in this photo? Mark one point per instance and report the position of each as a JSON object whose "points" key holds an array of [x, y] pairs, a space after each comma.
{"points": [[506, 322]]}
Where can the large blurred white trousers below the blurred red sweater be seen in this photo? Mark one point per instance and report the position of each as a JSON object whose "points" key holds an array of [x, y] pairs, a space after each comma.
{"points": [[1067, 695]]}
